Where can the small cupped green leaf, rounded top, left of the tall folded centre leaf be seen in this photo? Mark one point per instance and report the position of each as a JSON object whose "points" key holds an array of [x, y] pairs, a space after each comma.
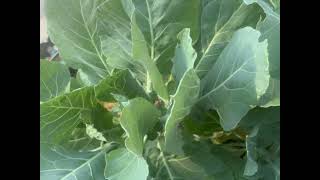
{"points": [[137, 119]]}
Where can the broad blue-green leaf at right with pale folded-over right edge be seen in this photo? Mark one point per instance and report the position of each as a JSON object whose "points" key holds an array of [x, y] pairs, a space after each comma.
{"points": [[238, 79]]}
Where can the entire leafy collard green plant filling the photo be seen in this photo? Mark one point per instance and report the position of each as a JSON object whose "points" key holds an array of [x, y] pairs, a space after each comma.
{"points": [[164, 90]]}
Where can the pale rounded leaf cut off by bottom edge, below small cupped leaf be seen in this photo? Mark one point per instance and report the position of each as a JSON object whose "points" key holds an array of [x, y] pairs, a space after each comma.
{"points": [[122, 164]]}
